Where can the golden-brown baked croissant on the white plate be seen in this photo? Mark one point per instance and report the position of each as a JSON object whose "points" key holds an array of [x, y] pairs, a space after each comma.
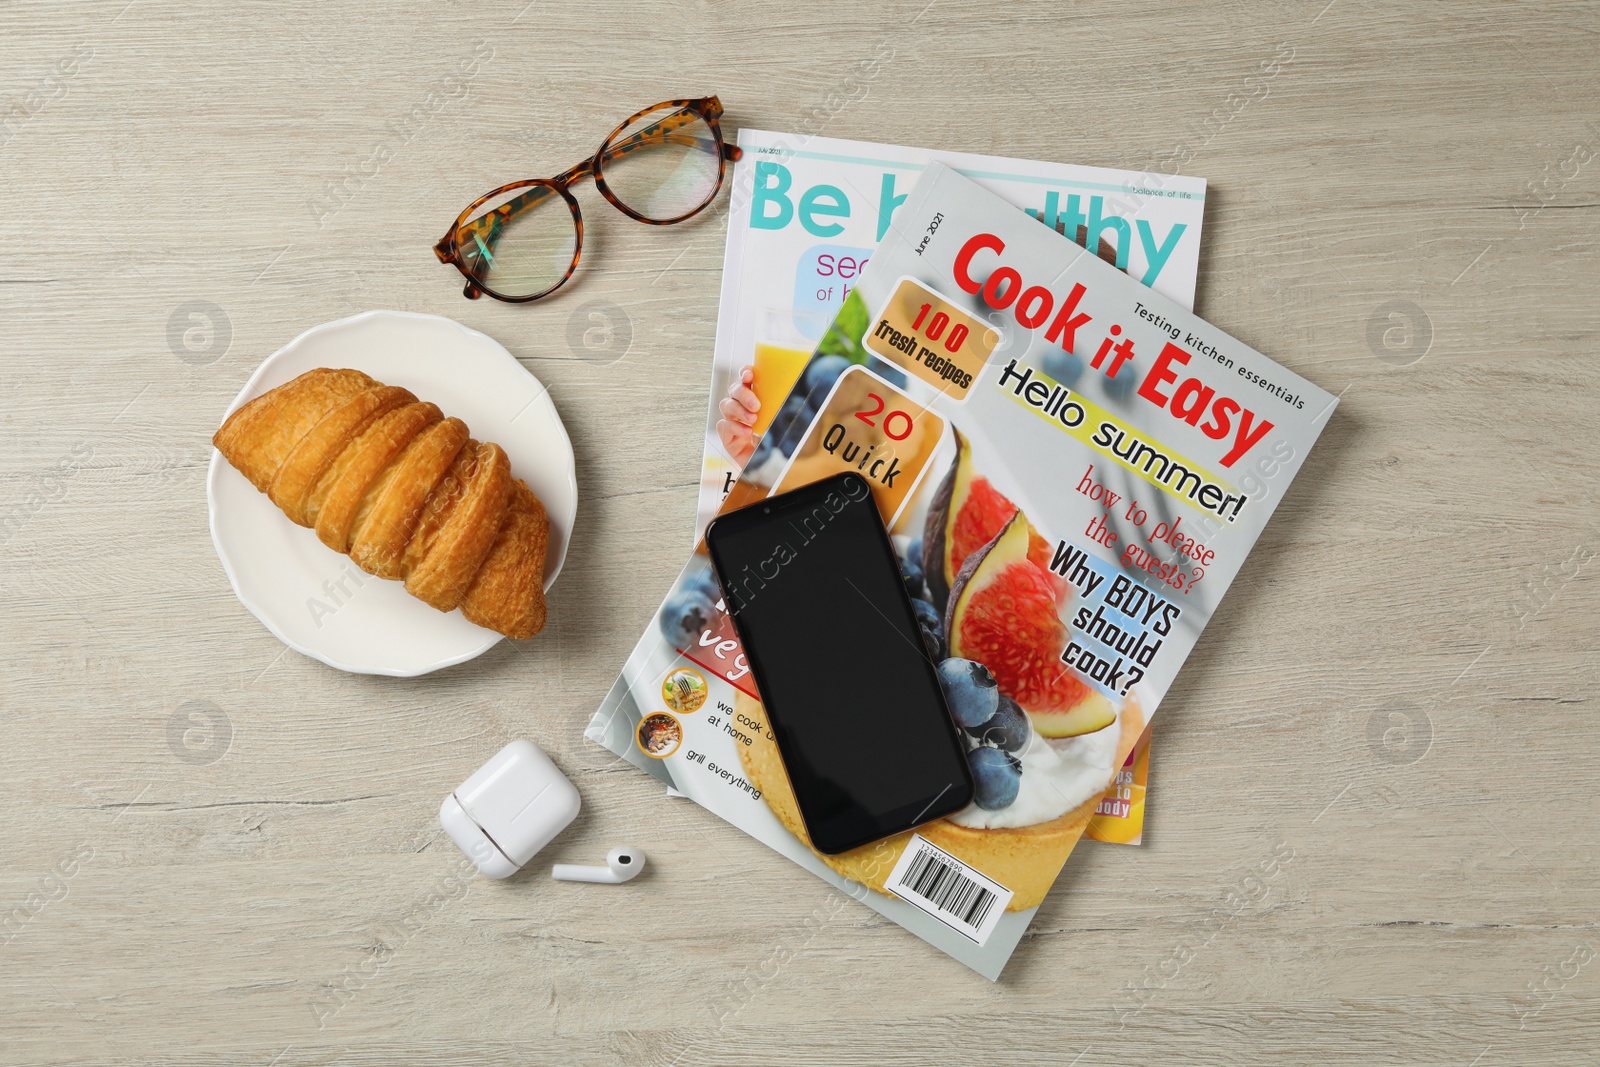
{"points": [[402, 490]]}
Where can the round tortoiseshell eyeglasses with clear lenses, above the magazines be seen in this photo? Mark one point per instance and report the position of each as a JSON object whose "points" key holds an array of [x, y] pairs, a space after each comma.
{"points": [[522, 241]]}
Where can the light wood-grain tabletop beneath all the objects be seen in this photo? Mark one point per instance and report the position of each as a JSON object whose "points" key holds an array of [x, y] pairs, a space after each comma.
{"points": [[1398, 692]]}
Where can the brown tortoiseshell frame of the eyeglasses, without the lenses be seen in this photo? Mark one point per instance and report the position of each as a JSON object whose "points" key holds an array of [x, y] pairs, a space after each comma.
{"points": [[450, 247]]}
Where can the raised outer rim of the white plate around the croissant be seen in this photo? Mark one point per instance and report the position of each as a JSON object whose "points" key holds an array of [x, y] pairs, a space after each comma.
{"points": [[217, 463]]}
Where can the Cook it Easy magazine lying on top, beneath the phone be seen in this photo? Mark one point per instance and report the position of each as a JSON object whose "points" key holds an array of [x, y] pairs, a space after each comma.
{"points": [[1073, 468]]}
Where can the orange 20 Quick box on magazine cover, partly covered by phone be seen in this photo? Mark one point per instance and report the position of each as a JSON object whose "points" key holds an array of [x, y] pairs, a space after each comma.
{"points": [[871, 428]]}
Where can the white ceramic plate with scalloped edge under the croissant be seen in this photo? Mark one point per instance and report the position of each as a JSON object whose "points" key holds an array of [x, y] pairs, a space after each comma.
{"points": [[319, 602]]}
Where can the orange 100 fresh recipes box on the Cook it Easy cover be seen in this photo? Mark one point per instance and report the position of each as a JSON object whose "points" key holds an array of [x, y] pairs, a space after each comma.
{"points": [[924, 334]]}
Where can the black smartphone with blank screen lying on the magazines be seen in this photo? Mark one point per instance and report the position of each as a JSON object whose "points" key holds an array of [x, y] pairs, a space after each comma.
{"points": [[815, 593]]}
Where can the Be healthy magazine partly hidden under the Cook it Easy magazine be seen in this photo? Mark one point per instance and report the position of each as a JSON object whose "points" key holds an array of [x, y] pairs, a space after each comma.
{"points": [[810, 214]]}
